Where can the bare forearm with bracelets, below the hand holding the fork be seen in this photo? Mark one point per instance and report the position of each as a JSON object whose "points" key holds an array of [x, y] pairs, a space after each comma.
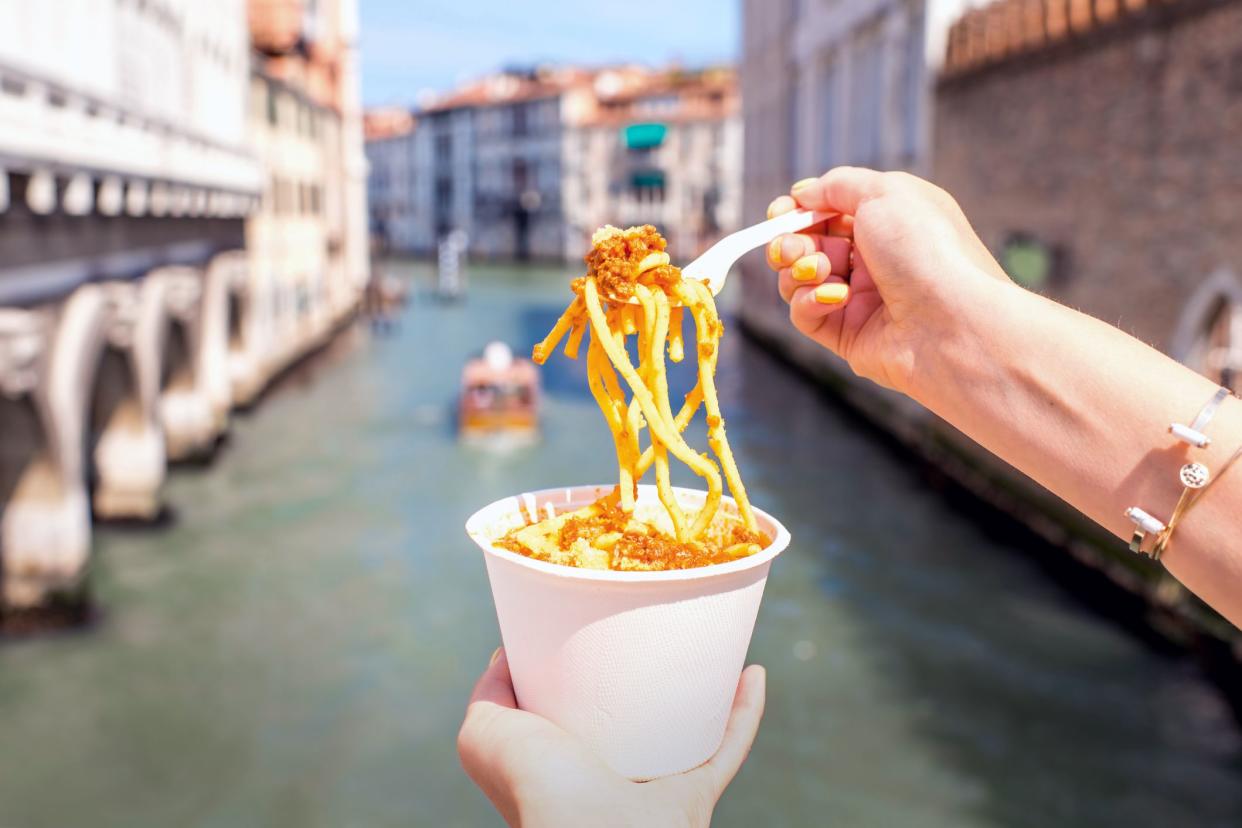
{"points": [[1084, 409]]}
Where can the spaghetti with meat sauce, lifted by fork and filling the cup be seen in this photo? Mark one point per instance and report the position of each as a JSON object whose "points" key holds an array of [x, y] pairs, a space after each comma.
{"points": [[632, 290]]}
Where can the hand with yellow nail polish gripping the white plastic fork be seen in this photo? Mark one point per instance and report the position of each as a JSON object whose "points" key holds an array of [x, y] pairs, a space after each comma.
{"points": [[892, 282]]}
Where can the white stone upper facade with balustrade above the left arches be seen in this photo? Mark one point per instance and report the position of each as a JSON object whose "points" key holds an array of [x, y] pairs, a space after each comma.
{"points": [[115, 114]]}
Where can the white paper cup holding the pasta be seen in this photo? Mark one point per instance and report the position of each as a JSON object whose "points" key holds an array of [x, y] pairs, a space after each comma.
{"points": [[640, 666]]}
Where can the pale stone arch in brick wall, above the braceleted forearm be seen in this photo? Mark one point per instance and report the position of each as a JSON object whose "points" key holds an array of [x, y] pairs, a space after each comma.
{"points": [[1209, 333]]}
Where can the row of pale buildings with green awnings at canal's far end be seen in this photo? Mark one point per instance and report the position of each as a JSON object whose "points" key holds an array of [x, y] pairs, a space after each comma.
{"points": [[528, 164]]}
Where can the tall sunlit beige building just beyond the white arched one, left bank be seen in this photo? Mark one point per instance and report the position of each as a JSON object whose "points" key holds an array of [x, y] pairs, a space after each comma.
{"points": [[307, 243]]}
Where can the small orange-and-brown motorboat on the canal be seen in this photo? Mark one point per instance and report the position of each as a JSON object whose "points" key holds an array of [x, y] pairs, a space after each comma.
{"points": [[500, 399]]}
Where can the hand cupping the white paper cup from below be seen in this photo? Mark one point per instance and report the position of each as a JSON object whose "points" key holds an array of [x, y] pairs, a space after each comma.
{"points": [[536, 774]]}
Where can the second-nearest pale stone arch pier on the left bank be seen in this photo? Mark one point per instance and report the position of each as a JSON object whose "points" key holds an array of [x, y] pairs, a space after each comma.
{"points": [[126, 438]]}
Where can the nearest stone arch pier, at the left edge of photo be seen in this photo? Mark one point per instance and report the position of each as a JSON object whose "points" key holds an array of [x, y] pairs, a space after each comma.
{"points": [[45, 528]]}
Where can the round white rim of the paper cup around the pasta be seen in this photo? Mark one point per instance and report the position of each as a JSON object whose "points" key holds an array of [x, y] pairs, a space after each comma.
{"points": [[476, 529]]}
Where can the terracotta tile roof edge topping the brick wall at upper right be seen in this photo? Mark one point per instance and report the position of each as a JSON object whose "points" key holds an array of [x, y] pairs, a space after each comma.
{"points": [[1010, 28]]}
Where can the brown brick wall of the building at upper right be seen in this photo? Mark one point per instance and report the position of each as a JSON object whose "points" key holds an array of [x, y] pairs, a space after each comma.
{"points": [[1117, 146]]}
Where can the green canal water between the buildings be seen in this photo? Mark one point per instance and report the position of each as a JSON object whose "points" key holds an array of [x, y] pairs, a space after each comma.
{"points": [[296, 647]]}
